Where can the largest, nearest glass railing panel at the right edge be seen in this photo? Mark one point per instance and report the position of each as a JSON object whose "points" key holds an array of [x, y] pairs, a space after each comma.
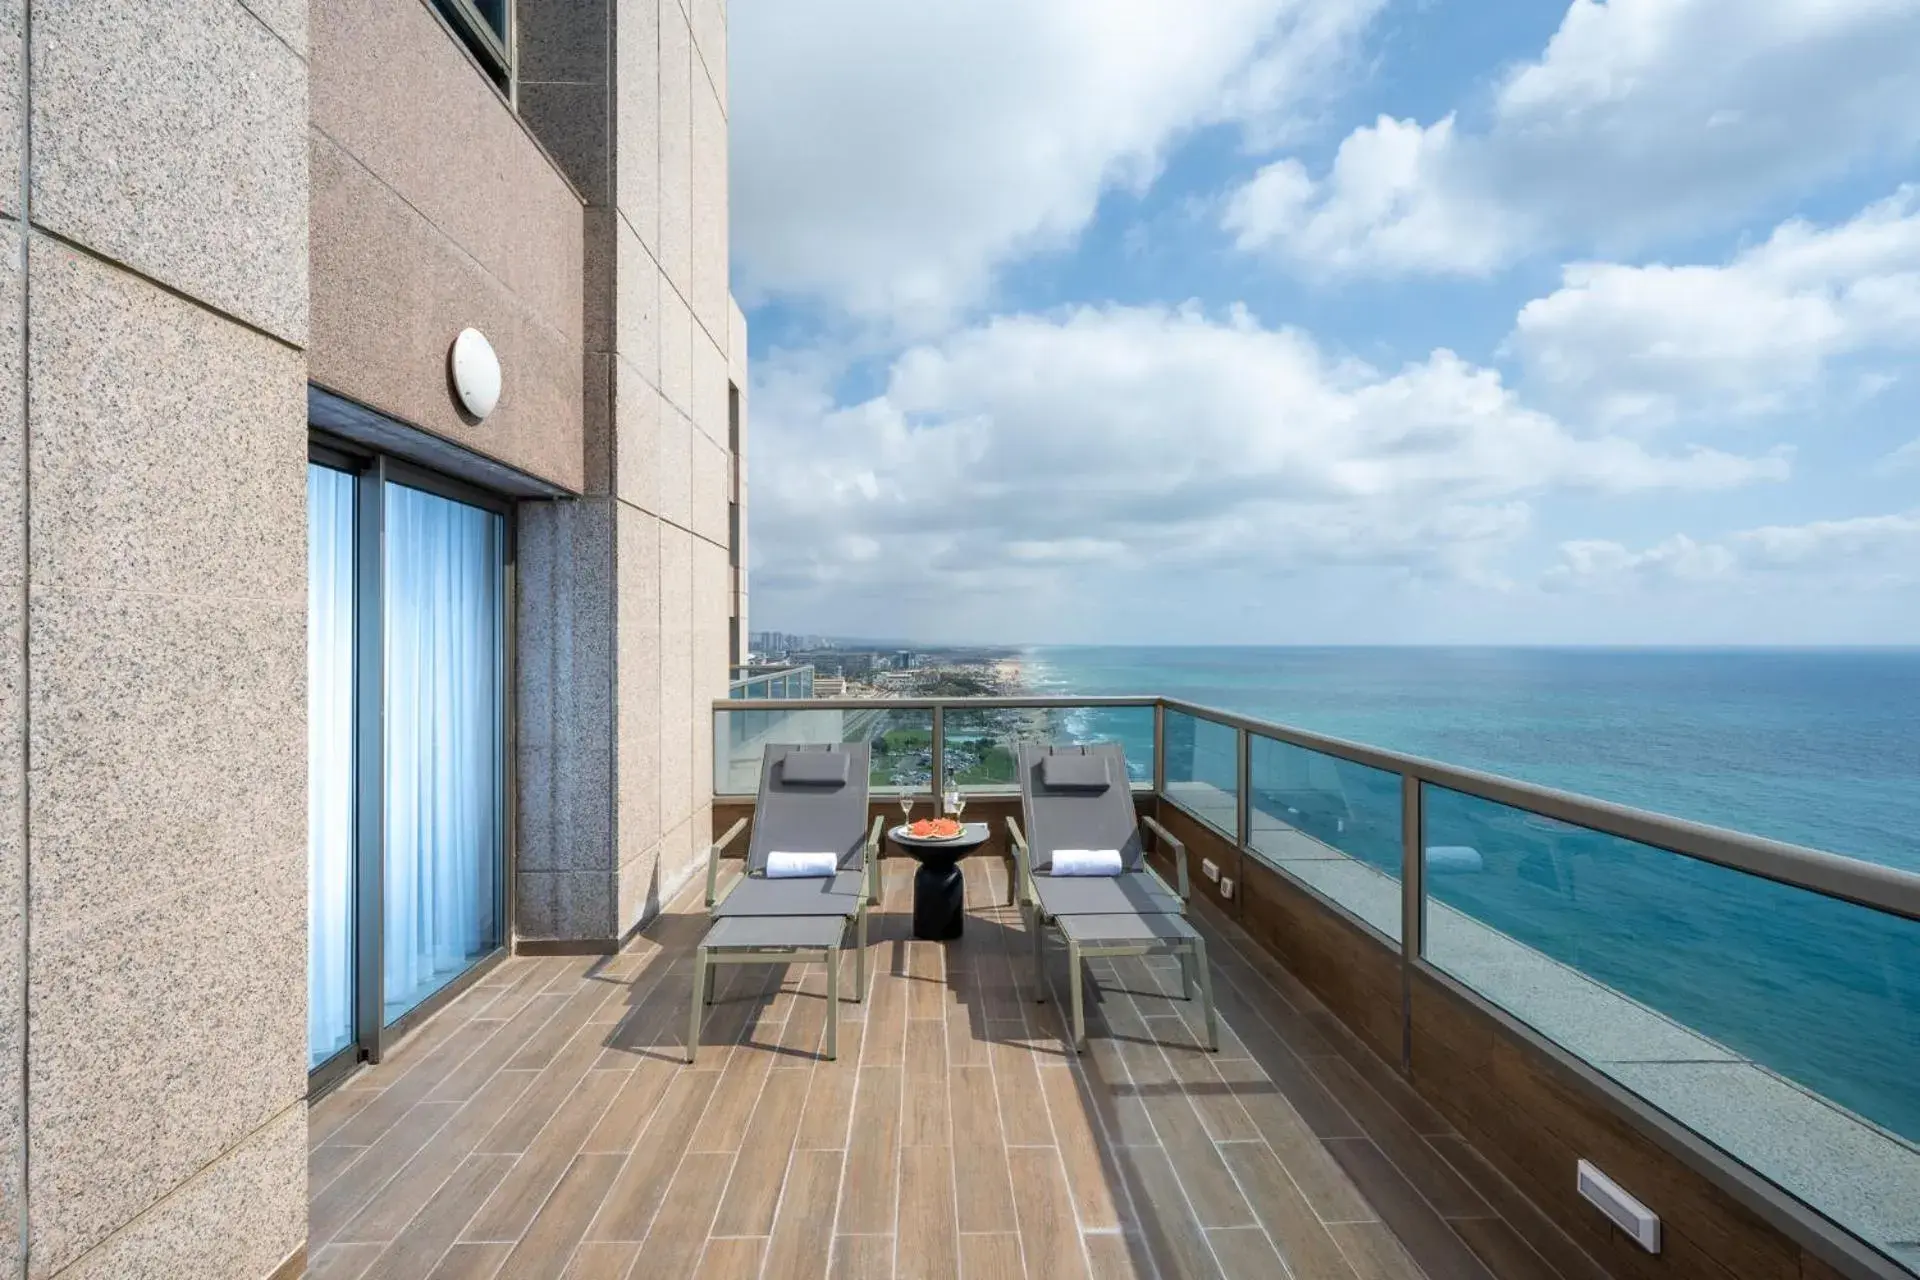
{"points": [[1775, 1022]]}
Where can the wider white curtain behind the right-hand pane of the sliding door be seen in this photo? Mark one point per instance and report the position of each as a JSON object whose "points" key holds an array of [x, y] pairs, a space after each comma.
{"points": [[444, 565]]}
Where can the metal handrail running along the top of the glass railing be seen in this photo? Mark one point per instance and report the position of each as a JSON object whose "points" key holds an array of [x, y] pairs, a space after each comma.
{"points": [[1833, 876]]}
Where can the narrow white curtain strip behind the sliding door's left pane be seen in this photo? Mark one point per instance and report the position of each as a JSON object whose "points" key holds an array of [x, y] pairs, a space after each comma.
{"points": [[329, 763]]}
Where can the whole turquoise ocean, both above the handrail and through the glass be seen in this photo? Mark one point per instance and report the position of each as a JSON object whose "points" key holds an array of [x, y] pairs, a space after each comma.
{"points": [[1815, 747]]}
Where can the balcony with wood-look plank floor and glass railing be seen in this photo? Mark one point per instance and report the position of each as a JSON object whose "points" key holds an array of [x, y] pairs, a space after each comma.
{"points": [[1439, 993]]}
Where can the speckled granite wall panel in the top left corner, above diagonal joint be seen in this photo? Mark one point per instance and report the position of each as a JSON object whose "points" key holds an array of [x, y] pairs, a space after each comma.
{"points": [[158, 131]]}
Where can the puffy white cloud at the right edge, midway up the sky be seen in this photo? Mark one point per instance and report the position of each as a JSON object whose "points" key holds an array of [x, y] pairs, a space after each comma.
{"points": [[1742, 339]]}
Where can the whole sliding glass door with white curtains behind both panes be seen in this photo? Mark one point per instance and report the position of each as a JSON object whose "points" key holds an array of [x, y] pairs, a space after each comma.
{"points": [[406, 746]]}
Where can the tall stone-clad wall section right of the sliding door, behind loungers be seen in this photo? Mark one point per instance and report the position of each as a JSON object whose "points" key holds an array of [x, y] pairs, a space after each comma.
{"points": [[631, 97]]}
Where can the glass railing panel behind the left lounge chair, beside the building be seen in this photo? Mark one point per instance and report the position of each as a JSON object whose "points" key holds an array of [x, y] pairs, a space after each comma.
{"points": [[901, 744]]}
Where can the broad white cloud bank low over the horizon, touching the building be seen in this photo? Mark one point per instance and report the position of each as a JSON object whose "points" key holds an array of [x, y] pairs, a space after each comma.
{"points": [[1030, 456]]}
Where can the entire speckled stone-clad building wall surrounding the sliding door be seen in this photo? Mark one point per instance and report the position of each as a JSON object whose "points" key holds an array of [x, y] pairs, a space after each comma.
{"points": [[208, 206]]}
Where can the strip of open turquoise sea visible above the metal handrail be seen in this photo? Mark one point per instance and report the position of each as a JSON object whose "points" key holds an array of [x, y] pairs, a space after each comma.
{"points": [[1815, 747]]}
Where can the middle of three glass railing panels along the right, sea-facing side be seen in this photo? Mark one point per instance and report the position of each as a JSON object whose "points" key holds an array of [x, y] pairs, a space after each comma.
{"points": [[1332, 824]]}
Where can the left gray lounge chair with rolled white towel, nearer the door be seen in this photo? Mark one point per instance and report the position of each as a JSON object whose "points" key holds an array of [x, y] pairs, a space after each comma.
{"points": [[813, 799]]}
